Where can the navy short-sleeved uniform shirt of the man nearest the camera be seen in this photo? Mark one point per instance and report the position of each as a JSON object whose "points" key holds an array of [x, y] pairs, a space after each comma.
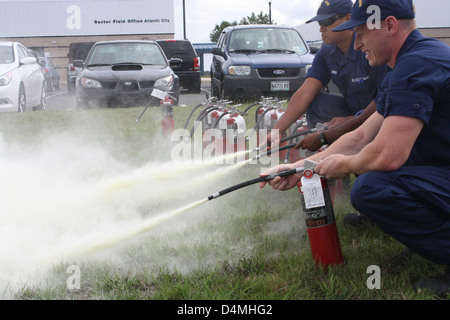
{"points": [[419, 87]]}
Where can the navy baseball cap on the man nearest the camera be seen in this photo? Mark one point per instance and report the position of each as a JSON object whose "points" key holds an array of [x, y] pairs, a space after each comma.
{"points": [[361, 12]]}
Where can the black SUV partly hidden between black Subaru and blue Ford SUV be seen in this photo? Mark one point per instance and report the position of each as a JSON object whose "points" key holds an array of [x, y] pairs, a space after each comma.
{"points": [[189, 69]]}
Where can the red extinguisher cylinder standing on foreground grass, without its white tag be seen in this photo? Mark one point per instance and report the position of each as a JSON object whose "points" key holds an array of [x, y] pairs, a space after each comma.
{"points": [[321, 228]]}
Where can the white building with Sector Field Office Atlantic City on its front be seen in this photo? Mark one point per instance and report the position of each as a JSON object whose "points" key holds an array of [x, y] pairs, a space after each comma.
{"points": [[50, 26]]}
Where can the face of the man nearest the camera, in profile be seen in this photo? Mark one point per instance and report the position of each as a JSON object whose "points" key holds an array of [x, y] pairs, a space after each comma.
{"points": [[374, 43]]}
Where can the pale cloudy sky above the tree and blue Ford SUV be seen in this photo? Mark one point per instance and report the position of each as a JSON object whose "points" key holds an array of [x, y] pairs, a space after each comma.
{"points": [[202, 16]]}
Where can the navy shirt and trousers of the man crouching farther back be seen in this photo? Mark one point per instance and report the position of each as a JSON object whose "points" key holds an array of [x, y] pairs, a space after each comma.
{"points": [[353, 76]]}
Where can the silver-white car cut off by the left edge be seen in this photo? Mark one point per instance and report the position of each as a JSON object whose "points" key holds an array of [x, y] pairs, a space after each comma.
{"points": [[22, 82]]}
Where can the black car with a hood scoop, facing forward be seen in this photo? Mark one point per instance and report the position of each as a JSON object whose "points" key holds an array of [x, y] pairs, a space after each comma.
{"points": [[124, 73]]}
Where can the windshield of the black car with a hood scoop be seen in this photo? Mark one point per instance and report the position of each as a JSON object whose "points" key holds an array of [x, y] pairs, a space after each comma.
{"points": [[126, 53]]}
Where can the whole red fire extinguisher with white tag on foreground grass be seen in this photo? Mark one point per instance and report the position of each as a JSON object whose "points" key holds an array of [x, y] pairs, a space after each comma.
{"points": [[319, 216]]}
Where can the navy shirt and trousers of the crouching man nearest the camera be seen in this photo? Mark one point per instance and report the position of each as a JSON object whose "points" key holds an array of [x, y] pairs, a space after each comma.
{"points": [[412, 204]]}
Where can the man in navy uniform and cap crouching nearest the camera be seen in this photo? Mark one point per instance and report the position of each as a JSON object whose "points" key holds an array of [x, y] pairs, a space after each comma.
{"points": [[402, 152]]}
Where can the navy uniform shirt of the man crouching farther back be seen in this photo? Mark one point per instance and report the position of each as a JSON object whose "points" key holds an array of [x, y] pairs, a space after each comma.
{"points": [[356, 80]]}
